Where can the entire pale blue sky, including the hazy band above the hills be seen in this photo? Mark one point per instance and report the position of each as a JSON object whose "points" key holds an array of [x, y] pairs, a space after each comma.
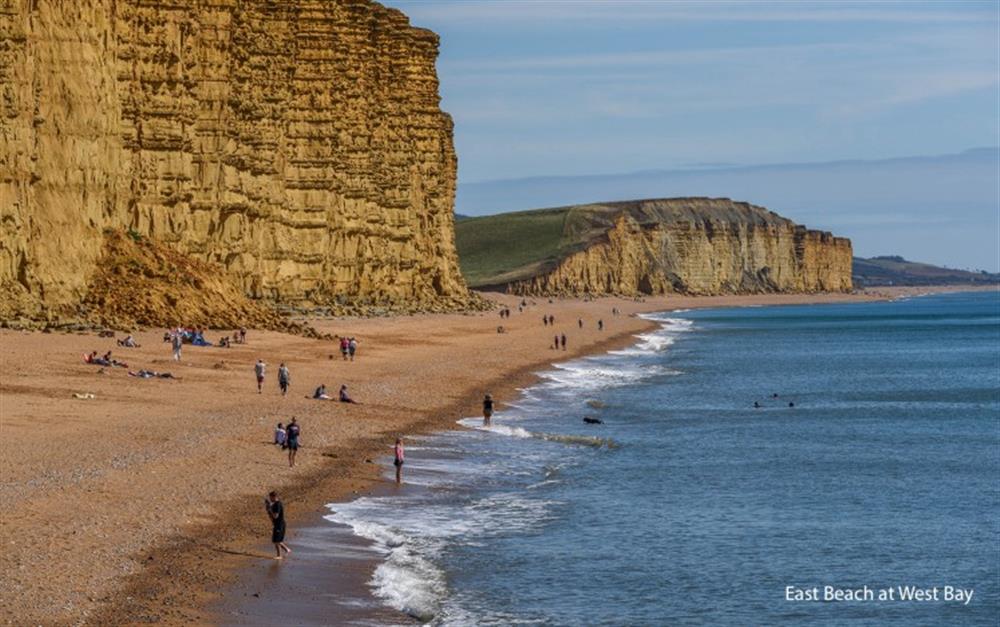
{"points": [[571, 89]]}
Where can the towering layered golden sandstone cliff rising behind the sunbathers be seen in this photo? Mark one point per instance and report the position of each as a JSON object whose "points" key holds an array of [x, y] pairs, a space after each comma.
{"points": [[298, 145]]}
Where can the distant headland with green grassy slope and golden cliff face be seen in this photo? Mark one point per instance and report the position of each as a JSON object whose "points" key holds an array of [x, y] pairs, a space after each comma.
{"points": [[682, 245]]}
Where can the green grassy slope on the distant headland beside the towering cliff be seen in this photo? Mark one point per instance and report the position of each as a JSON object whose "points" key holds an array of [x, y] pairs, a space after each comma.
{"points": [[510, 246]]}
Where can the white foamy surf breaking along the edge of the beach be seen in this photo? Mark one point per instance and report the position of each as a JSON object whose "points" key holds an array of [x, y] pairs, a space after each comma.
{"points": [[414, 533]]}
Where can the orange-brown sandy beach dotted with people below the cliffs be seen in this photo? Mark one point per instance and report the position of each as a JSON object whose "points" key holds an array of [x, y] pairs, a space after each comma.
{"points": [[140, 504]]}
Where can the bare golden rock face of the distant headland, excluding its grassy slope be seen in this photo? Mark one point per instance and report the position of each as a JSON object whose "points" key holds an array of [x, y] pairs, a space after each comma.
{"points": [[694, 246]]}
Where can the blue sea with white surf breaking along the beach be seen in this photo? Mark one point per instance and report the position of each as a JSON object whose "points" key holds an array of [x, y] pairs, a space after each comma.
{"points": [[690, 506]]}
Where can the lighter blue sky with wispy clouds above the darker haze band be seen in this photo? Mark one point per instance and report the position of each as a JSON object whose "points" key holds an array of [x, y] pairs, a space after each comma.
{"points": [[578, 88]]}
